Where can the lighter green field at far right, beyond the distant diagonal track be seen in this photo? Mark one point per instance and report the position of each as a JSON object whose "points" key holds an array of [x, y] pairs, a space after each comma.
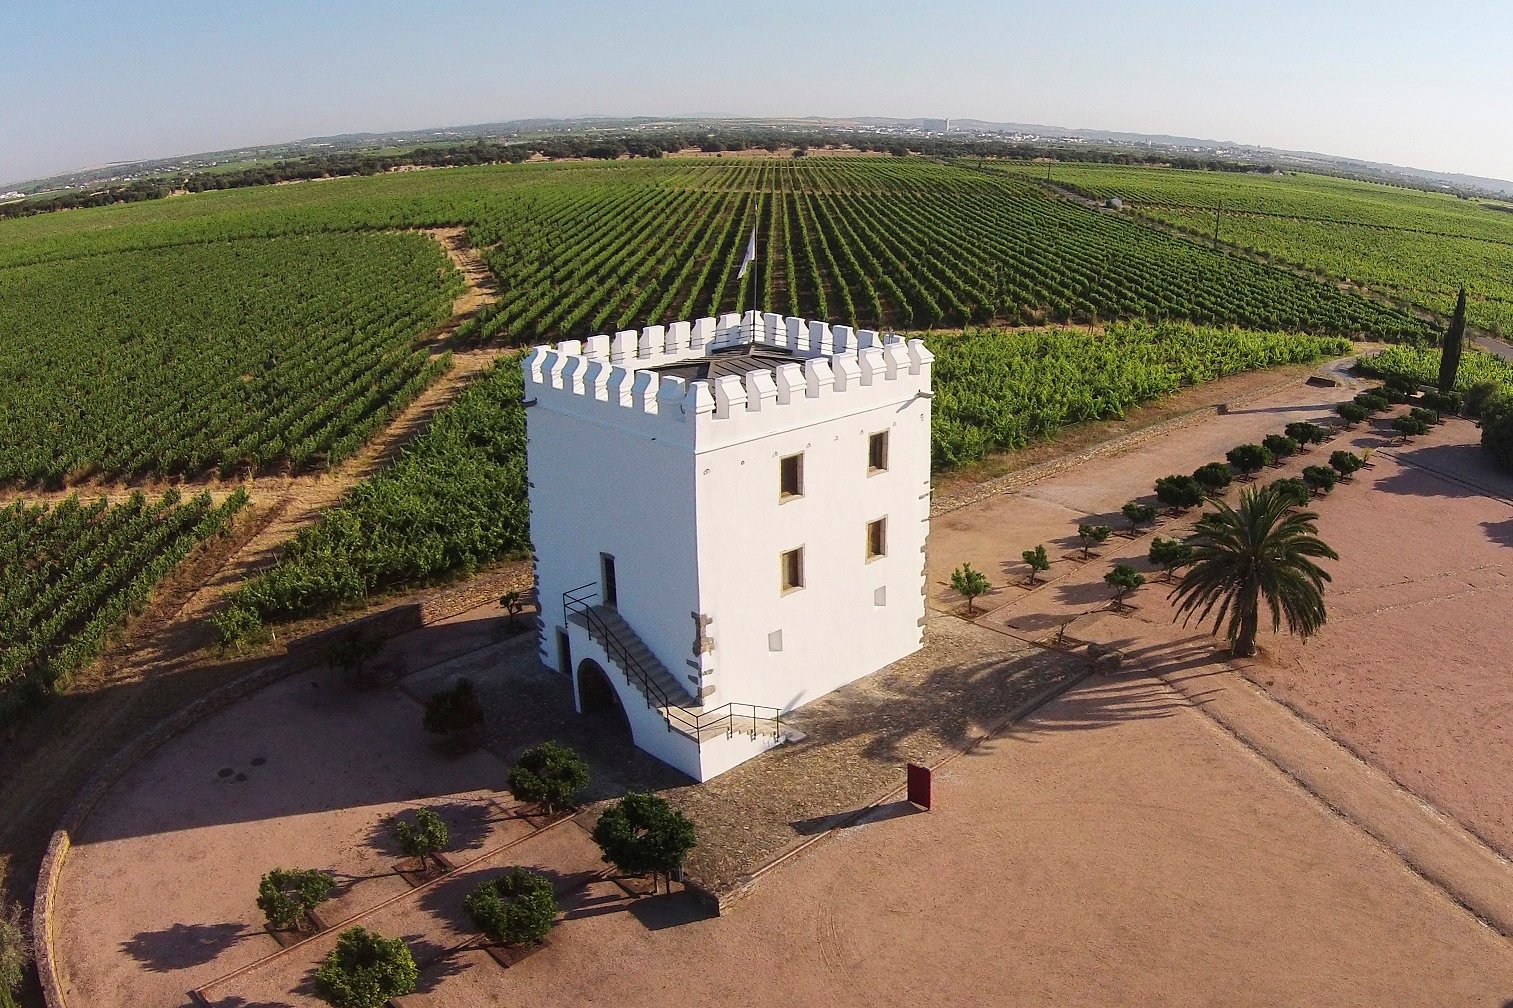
{"points": [[1412, 246]]}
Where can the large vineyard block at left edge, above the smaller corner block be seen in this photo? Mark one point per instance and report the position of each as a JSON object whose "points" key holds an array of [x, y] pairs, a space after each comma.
{"points": [[238, 355]]}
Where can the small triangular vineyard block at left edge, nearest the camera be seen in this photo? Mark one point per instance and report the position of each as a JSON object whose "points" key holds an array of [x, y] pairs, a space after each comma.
{"points": [[70, 574]]}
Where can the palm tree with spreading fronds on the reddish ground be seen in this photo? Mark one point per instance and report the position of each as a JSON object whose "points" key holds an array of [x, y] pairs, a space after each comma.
{"points": [[1261, 550]]}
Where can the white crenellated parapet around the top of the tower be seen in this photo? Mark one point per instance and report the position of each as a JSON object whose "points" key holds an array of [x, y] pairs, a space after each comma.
{"points": [[614, 381]]}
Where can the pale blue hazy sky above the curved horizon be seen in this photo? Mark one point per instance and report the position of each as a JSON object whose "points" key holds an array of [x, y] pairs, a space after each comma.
{"points": [[1428, 86]]}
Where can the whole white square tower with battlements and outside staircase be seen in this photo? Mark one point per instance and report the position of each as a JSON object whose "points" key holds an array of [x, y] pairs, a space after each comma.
{"points": [[729, 520]]}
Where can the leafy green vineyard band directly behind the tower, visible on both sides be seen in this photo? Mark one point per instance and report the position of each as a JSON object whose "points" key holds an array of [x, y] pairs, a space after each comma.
{"points": [[456, 500]]}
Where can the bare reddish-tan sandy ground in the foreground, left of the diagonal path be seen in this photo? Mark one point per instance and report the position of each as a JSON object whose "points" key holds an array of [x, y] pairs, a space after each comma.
{"points": [[1114, 850]]}
